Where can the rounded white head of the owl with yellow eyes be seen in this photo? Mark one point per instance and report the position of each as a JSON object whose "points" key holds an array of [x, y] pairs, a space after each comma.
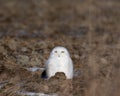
{"points": [[59, 52]]}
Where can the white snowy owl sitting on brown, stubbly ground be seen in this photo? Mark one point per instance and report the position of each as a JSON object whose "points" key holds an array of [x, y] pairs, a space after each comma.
{"points": [[59, 61]]}
